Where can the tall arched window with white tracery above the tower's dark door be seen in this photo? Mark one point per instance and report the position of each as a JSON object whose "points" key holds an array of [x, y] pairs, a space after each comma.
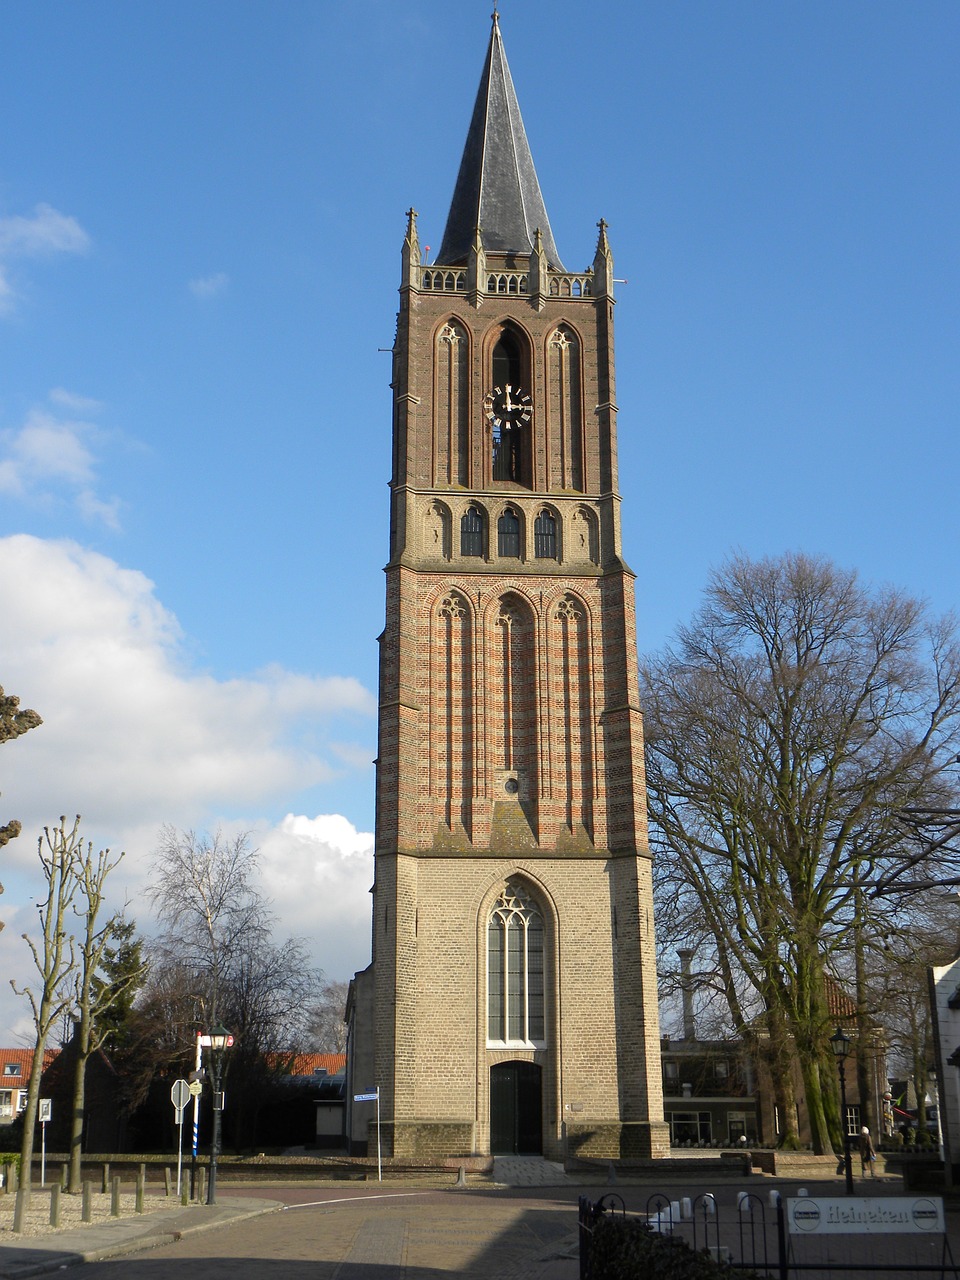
{"points": [[515, 970]]}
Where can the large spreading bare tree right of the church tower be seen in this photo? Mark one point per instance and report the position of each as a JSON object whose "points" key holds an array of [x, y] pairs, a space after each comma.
{"points": [[794, 721]]}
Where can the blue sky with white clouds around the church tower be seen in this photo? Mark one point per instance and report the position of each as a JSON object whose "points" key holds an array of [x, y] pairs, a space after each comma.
{"points": [[202, 213]]}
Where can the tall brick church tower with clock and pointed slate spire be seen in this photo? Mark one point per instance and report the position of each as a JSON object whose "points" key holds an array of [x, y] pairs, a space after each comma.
{"points": [[511, 1004]]}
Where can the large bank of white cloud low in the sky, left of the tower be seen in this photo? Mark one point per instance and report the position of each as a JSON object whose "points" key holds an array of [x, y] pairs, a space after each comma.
{"points": [[135, 738]]}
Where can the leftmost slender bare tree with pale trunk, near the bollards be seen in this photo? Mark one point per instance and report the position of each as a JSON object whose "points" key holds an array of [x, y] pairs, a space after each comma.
{"points": [[54, 958]]}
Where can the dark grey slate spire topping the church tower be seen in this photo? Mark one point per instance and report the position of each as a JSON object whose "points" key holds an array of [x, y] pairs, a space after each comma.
{"points": [[497, 188]]}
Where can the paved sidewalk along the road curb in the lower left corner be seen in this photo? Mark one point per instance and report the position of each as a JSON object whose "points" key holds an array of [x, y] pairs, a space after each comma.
{"points": [[24, 1256]]}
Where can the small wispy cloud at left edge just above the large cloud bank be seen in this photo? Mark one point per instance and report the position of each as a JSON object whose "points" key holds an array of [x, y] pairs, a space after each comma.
{"points": [[52, 459]]}
